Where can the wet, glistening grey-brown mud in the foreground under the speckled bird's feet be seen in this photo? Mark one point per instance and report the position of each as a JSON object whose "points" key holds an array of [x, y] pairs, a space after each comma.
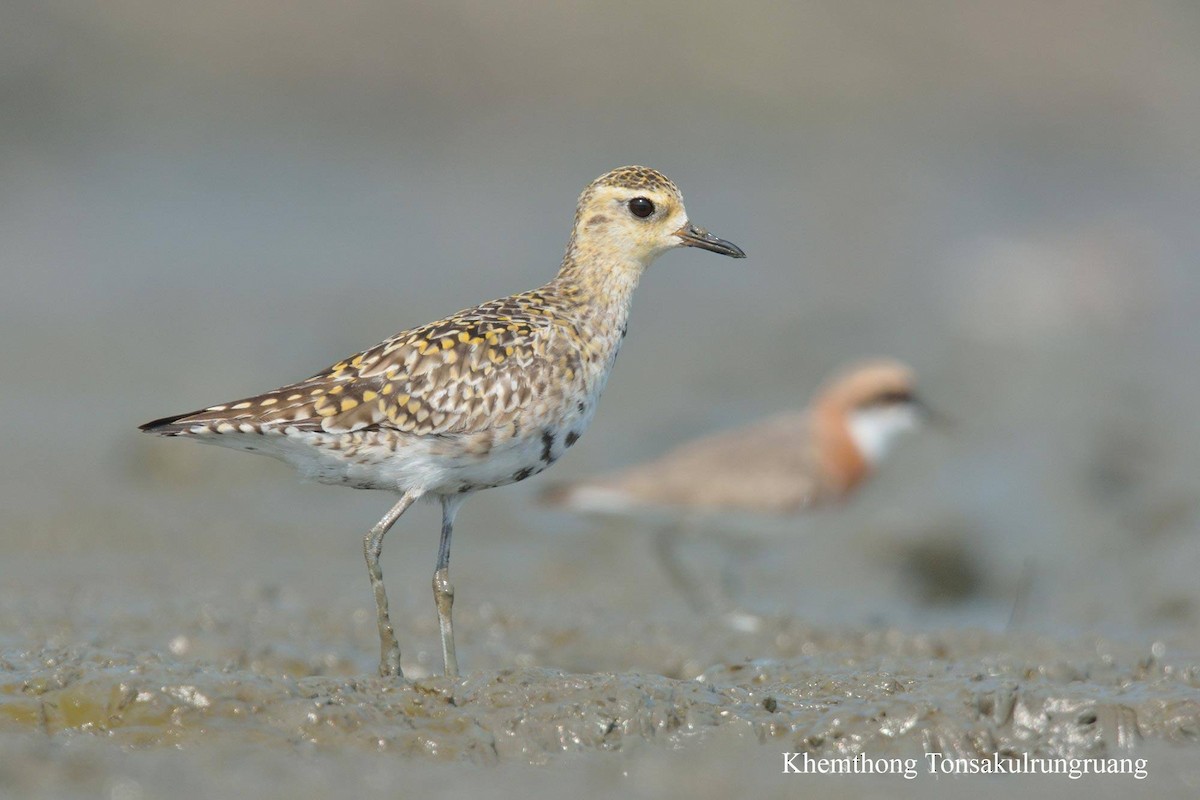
{"points": [[830, 693]]}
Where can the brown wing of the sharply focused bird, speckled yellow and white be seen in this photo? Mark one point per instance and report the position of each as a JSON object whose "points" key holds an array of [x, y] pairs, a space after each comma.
{"points": [[473, 371]]}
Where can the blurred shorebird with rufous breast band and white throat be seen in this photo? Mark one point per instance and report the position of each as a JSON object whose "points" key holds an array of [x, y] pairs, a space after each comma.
{"points": [[779, 466]]}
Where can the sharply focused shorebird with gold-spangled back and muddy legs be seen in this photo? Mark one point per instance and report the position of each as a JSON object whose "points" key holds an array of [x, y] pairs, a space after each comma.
{"points": [[485, 398]]}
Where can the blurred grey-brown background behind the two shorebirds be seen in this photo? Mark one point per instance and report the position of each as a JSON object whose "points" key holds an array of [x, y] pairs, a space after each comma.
{"points": [[203, 201]]}
